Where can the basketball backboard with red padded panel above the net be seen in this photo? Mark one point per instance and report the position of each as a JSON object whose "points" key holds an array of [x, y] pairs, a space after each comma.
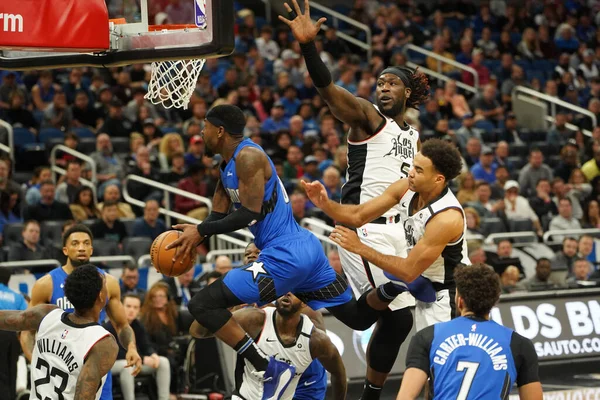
{"points": [[36, 34]]}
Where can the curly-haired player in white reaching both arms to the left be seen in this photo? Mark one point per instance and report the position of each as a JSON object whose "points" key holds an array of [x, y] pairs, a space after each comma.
{"points": [[434, 224]]}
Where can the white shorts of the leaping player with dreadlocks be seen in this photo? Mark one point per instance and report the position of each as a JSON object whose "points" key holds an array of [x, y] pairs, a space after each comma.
{"points": [[387, 239]]}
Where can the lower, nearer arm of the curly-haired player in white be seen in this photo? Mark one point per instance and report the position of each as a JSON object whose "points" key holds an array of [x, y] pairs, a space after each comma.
{"points": [[444, 228]]}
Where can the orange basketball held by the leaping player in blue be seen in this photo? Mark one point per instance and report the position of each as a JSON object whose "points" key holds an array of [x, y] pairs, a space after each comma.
{"points": [[162, 259]]}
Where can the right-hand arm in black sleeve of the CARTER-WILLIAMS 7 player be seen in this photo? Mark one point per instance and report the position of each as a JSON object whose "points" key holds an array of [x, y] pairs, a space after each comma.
{"points": [[526, 363]]}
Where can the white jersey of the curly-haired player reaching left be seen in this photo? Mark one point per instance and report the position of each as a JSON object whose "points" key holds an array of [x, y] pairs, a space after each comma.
{"points": [[442, 269]]}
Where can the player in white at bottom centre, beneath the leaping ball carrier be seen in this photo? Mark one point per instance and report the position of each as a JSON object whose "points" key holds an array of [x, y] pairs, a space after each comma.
{"points": [[288, 335]]}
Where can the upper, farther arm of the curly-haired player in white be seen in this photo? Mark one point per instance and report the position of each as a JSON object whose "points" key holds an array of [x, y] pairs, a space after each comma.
{"points": [[356, 215]]}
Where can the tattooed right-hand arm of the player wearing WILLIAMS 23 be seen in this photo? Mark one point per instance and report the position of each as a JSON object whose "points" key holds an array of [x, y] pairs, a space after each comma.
{"points": [[97, 364]]}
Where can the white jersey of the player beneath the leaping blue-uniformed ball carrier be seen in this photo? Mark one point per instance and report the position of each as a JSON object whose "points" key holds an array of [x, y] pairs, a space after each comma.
{"points": [[297, 354]]}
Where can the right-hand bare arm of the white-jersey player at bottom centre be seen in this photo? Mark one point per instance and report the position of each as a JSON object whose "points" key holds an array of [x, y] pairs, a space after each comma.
{"points": [[322, 349]]}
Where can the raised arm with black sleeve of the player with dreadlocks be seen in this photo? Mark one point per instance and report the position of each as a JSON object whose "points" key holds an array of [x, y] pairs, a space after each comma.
{"points": [[354, 111]]}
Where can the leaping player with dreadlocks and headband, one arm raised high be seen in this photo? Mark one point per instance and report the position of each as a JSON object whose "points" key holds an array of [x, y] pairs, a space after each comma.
{"points": [[381, 148]]}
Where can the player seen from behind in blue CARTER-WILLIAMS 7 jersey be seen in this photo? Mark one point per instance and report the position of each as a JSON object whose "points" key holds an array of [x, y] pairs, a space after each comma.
{"points": [[472, 357]]}
